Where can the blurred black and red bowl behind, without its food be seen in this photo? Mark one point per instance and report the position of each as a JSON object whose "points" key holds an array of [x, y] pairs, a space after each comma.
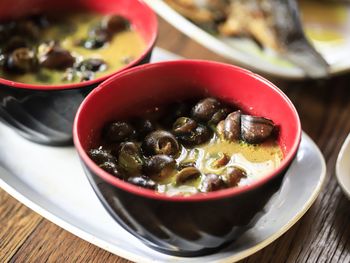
{"points": [[45, 113]]}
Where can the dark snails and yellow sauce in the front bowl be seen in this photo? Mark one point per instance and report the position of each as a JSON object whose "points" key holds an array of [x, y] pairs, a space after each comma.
{"points": [[189, 147]]}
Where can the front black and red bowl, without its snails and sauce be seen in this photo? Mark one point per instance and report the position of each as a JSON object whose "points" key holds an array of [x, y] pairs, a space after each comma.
{"points": [[201, 223]]}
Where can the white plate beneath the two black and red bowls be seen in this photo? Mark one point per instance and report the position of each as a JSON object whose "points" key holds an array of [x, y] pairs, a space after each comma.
{"points": [[52, 183]]}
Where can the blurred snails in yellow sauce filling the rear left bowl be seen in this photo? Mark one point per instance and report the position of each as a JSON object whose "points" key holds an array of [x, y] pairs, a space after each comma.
{"points": [[70, 48]]}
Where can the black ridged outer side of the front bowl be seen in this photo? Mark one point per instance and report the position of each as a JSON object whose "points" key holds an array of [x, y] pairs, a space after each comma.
{"points": [[184, 228]]}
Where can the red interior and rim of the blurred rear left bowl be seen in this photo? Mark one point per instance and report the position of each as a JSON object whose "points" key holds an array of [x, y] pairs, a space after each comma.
{"points": [[142, 18]]}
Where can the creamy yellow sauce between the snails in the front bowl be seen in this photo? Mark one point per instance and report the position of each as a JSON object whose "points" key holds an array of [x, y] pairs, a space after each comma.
{"points": [[256, 160]]}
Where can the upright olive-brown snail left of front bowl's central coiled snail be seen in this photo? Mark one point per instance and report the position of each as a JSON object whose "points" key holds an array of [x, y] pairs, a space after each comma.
{"points": [[129, 159]]}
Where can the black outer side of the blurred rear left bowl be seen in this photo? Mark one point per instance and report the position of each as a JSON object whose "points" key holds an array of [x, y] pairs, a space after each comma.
{"points": [[44, 116]]}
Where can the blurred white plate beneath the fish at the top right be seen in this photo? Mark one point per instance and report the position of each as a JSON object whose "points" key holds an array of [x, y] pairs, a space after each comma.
{"points": [[336, 23]]}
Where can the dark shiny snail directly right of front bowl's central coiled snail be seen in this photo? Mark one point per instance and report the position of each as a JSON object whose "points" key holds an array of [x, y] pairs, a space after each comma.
{"points": [[199, 135]]}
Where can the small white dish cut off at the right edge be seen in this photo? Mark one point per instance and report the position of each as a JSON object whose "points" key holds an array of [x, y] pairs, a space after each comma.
{"points": [[343, 167]]}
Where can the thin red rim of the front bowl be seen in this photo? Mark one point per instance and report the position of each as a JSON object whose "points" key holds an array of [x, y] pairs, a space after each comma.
{"points": [[225, 193]]}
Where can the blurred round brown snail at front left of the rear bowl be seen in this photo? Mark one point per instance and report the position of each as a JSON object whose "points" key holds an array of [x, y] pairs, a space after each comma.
{"points": [[21, 60]]}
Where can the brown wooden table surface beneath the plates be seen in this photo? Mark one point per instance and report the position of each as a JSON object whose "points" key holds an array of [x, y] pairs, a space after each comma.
{"points": [[322, 235]]}
